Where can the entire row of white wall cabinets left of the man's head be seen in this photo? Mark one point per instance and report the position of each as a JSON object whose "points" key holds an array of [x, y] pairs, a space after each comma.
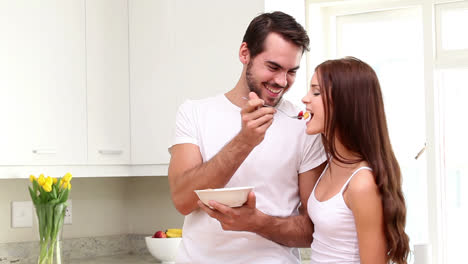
{"points": [[98, 82]]}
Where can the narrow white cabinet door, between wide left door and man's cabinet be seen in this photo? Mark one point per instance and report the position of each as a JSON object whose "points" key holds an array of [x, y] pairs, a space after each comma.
{"points": [[107, 82]]}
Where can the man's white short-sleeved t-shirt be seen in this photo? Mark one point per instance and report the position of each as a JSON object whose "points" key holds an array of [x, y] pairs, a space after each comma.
{"points": [[272, 168]]}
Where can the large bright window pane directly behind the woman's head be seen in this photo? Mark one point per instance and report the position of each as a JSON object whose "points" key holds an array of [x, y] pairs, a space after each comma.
{"points": [[391, 42]]}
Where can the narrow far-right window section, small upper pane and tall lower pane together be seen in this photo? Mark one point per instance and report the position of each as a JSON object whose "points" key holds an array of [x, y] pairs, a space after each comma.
{"points": [[451, 71]]}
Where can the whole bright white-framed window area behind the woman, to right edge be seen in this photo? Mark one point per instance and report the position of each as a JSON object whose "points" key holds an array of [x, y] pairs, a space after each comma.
{"points": [[424, 87]]}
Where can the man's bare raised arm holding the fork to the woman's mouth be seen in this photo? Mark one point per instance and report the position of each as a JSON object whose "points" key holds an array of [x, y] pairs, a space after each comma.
{"points": [[188, 172]]}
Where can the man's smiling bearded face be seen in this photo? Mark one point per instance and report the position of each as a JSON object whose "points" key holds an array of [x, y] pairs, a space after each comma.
{"points": [[271, 73]]}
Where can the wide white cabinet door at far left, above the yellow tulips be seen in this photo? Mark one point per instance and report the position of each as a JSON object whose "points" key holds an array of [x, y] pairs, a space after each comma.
{"points": [[42, 82]]}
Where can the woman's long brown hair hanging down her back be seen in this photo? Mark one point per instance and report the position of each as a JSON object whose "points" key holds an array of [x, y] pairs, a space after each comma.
{"points": [[355, 115]]}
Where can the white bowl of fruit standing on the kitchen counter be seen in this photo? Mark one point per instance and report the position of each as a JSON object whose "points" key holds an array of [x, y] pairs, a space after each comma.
{"points": [[163, 249]]}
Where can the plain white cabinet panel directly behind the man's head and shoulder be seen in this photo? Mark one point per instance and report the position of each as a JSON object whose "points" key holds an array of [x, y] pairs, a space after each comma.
{"points": [[179, 50]]}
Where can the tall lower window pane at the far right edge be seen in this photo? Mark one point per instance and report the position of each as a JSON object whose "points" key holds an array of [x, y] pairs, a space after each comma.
{"points": [[455, 169]]}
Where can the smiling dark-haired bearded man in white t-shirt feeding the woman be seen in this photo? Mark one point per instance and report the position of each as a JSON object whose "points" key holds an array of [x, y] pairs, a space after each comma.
{"points": [[232, 140]]}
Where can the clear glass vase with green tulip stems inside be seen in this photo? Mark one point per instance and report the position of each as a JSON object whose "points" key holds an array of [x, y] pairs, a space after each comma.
{"points": [[50, 221]]}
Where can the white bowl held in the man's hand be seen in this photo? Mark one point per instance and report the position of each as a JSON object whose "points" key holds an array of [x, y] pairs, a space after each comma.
{"points": [[232, 197]]}
